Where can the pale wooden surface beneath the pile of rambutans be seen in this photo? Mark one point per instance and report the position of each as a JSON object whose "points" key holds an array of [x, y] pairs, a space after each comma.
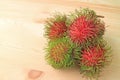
{"points": [[22, 42]]}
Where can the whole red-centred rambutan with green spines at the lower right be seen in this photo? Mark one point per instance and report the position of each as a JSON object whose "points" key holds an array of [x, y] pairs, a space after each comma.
{"points": [[93, 59]]}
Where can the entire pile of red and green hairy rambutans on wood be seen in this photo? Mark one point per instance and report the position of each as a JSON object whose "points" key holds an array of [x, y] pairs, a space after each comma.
{"points": [[77, 40]]}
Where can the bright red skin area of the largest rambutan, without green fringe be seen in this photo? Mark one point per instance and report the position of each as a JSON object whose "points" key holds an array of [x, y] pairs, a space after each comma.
{"points": [[83, 29]]}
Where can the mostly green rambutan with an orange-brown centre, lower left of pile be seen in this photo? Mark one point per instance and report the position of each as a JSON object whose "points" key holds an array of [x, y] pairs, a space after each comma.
{"points": [[59, 53]]}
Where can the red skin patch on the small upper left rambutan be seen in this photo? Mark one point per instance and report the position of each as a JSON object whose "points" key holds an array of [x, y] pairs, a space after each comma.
{"points": [[57, 30]]}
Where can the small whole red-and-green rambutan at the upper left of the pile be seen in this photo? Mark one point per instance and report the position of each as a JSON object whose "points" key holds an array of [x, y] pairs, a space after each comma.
{"points": [[56, 27]]}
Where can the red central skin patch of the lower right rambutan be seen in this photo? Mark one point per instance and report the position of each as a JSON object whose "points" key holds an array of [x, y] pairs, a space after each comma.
{"points": [[93, 57]]}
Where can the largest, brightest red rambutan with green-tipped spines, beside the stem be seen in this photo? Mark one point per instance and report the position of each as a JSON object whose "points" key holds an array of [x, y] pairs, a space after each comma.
{"points": [[85, 27]]}
